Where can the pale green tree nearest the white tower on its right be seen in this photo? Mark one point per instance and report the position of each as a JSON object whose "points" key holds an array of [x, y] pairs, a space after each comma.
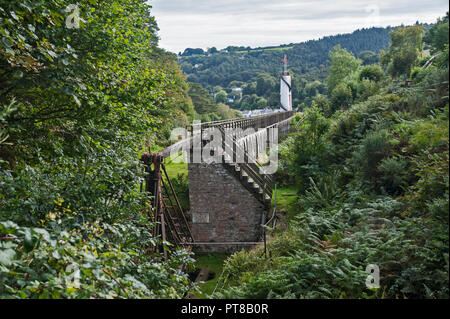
{"points": [[342, 64]]}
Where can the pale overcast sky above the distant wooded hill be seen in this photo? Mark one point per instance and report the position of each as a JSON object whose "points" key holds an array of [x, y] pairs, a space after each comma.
{"points": [[220, 23]]}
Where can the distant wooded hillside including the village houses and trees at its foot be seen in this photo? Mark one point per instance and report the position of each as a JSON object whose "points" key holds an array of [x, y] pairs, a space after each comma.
{"points": [[255, 71]]}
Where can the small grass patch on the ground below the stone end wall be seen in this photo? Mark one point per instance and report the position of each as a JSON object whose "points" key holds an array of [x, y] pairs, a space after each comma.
{"points": [[214, 262]]}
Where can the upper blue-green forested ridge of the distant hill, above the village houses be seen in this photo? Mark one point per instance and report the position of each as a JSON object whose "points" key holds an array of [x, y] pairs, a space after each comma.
{"points": [[307, 59]]}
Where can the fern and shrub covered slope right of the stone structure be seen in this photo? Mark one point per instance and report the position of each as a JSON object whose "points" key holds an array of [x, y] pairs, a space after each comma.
{"points": [[373, 179]]}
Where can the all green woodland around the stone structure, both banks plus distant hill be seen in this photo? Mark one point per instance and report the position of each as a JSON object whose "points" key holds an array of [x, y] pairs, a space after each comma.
{"points": [[82, 97]]}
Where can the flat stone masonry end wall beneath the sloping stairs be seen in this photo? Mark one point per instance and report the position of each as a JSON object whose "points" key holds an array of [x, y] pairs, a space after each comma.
{"points": [[222, 209]]}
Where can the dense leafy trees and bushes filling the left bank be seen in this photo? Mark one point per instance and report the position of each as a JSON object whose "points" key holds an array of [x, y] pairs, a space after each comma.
{"points": [[78, 103]]}
